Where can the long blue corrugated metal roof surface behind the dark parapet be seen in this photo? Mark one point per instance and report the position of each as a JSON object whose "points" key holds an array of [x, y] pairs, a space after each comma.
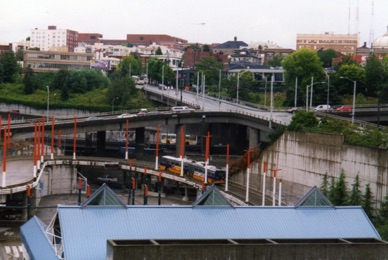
{"points": [[86, 230]]}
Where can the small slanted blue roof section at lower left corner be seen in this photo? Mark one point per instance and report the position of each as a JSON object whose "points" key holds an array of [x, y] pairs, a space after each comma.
{"points": [[35, 240]]}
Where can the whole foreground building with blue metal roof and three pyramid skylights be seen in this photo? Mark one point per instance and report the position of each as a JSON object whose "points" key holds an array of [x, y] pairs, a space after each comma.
{"points": [[103, 227]]}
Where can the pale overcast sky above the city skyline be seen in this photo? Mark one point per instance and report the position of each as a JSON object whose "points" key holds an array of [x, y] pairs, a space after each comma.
{"points": [[206, 21]]}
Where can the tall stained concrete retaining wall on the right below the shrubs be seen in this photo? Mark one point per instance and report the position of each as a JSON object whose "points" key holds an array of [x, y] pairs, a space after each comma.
{"points": [[304, 158]]}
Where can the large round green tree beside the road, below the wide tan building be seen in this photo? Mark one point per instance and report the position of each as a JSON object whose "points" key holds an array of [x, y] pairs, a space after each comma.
{"points": [[302, 64]]}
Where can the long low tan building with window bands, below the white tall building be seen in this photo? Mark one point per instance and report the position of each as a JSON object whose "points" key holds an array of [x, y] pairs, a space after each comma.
{"points": [[45, 61]]}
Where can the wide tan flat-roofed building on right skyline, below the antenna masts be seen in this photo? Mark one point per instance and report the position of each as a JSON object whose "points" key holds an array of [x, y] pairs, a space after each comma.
{"points": [[343, 43]]}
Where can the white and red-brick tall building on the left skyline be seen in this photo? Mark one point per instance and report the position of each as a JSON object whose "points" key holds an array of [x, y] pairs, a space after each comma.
{"points": [[53, 38]]}
